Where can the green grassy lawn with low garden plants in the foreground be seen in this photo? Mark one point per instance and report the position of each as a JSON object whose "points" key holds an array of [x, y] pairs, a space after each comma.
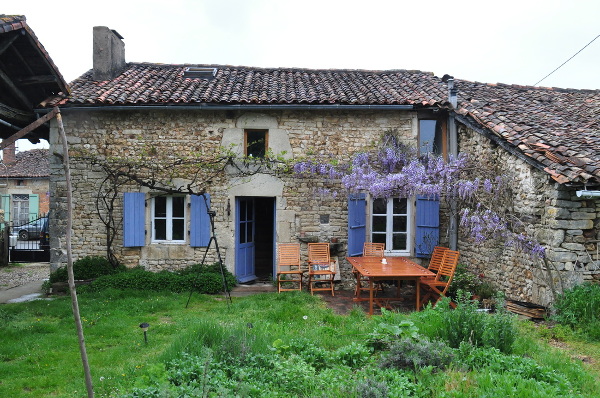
{"points": [[269, 345]]}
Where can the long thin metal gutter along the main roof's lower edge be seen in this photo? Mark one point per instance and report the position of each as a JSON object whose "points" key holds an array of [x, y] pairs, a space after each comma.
{"points": [[232, 107]]}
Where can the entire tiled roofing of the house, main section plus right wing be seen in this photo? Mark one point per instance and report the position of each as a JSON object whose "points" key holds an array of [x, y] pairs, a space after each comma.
{"points": [[557, 128]]}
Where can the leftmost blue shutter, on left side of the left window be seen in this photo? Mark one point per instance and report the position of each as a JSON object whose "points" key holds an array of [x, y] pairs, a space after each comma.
{"points": [[134, 211]]}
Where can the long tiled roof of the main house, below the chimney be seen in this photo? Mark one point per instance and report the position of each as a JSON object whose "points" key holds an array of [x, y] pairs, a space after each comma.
{"points": [[155, 84]]}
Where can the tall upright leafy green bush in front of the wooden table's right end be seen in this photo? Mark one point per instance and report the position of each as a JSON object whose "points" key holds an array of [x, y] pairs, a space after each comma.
{"points": [[467, 324]]}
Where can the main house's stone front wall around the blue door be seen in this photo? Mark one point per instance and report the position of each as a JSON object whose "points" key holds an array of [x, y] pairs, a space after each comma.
{"points": [[178, 132]]}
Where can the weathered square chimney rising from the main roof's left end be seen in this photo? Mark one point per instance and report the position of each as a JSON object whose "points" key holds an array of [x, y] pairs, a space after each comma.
{"points": [[109, 53]]}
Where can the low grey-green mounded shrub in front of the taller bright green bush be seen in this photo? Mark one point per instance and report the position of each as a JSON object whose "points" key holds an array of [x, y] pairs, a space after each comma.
{"points": [[413, 354]]}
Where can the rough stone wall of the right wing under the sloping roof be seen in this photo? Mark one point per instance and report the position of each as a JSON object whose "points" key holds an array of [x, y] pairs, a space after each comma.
{"points": [[565, 224]]}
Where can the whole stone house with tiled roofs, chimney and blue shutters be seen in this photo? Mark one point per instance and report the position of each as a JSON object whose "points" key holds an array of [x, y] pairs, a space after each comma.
{"points": [[121, 109]]}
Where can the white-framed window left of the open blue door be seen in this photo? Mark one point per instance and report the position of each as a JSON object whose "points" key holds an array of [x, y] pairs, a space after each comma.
{"points": [[168, 219]]}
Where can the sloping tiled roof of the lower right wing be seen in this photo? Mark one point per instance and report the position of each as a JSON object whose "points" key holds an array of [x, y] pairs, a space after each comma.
{"points": [[559, 128]]}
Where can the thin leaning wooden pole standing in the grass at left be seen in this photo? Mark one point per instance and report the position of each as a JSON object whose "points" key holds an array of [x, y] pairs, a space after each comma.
{"points": [[75, 304]]}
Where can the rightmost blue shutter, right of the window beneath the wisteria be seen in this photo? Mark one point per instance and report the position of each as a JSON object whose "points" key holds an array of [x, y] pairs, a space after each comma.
{"points": [[428, 225]]}
